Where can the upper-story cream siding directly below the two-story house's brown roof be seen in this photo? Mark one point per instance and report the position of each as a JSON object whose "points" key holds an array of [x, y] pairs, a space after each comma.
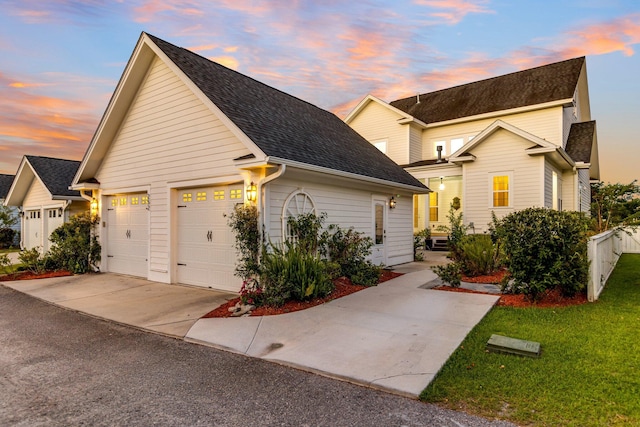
{"points": [[545, 124]]}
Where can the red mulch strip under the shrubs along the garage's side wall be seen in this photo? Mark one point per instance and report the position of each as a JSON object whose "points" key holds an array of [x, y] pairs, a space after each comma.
{"points": [[343, 287]]}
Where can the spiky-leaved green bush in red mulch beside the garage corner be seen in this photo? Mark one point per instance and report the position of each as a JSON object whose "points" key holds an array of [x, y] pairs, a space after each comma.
{"points": [[291, 273]]}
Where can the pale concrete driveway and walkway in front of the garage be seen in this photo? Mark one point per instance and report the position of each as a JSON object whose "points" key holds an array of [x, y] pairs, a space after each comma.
{"points": [[394, 336]]}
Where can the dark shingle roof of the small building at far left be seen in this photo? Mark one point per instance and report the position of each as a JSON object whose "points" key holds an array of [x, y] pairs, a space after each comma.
{"points": [[56, 174]]}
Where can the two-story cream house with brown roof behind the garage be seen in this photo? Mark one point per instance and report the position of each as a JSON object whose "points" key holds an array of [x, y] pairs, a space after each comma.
{"points": [[498, 145]]}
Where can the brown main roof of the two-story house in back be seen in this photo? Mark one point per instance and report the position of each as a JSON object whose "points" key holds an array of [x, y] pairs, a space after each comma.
{"points": [[547, 83]]}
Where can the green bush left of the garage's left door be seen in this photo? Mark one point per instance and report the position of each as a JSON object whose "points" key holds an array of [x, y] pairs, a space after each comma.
{"points": [[75, 247]]}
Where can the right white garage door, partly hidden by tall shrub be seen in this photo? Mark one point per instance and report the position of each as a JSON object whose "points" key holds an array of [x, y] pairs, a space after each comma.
{"points": [[206, 255]]}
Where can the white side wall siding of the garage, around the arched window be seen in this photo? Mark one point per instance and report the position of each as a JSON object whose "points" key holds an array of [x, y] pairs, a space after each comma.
{"points": [[347, 208]]}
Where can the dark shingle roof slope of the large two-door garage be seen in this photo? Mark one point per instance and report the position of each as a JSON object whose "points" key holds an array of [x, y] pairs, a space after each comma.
{"points": [[283, 126]]}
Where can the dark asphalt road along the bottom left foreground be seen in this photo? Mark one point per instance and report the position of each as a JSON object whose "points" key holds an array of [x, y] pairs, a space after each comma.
{"points": [[61, 368]]}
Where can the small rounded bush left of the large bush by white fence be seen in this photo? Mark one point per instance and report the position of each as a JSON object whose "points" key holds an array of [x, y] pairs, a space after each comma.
{"points": [[479, 254]]}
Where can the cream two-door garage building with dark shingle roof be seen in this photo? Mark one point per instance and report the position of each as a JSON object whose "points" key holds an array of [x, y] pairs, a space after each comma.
{"points": [[183, 139]]}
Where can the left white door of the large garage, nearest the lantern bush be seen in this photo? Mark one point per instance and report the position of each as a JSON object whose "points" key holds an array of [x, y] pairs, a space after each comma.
{"points": [[128, 234]]}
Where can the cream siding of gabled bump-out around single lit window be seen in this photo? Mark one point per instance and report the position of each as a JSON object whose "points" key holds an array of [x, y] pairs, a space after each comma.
{"points": [[502, 152]]}
